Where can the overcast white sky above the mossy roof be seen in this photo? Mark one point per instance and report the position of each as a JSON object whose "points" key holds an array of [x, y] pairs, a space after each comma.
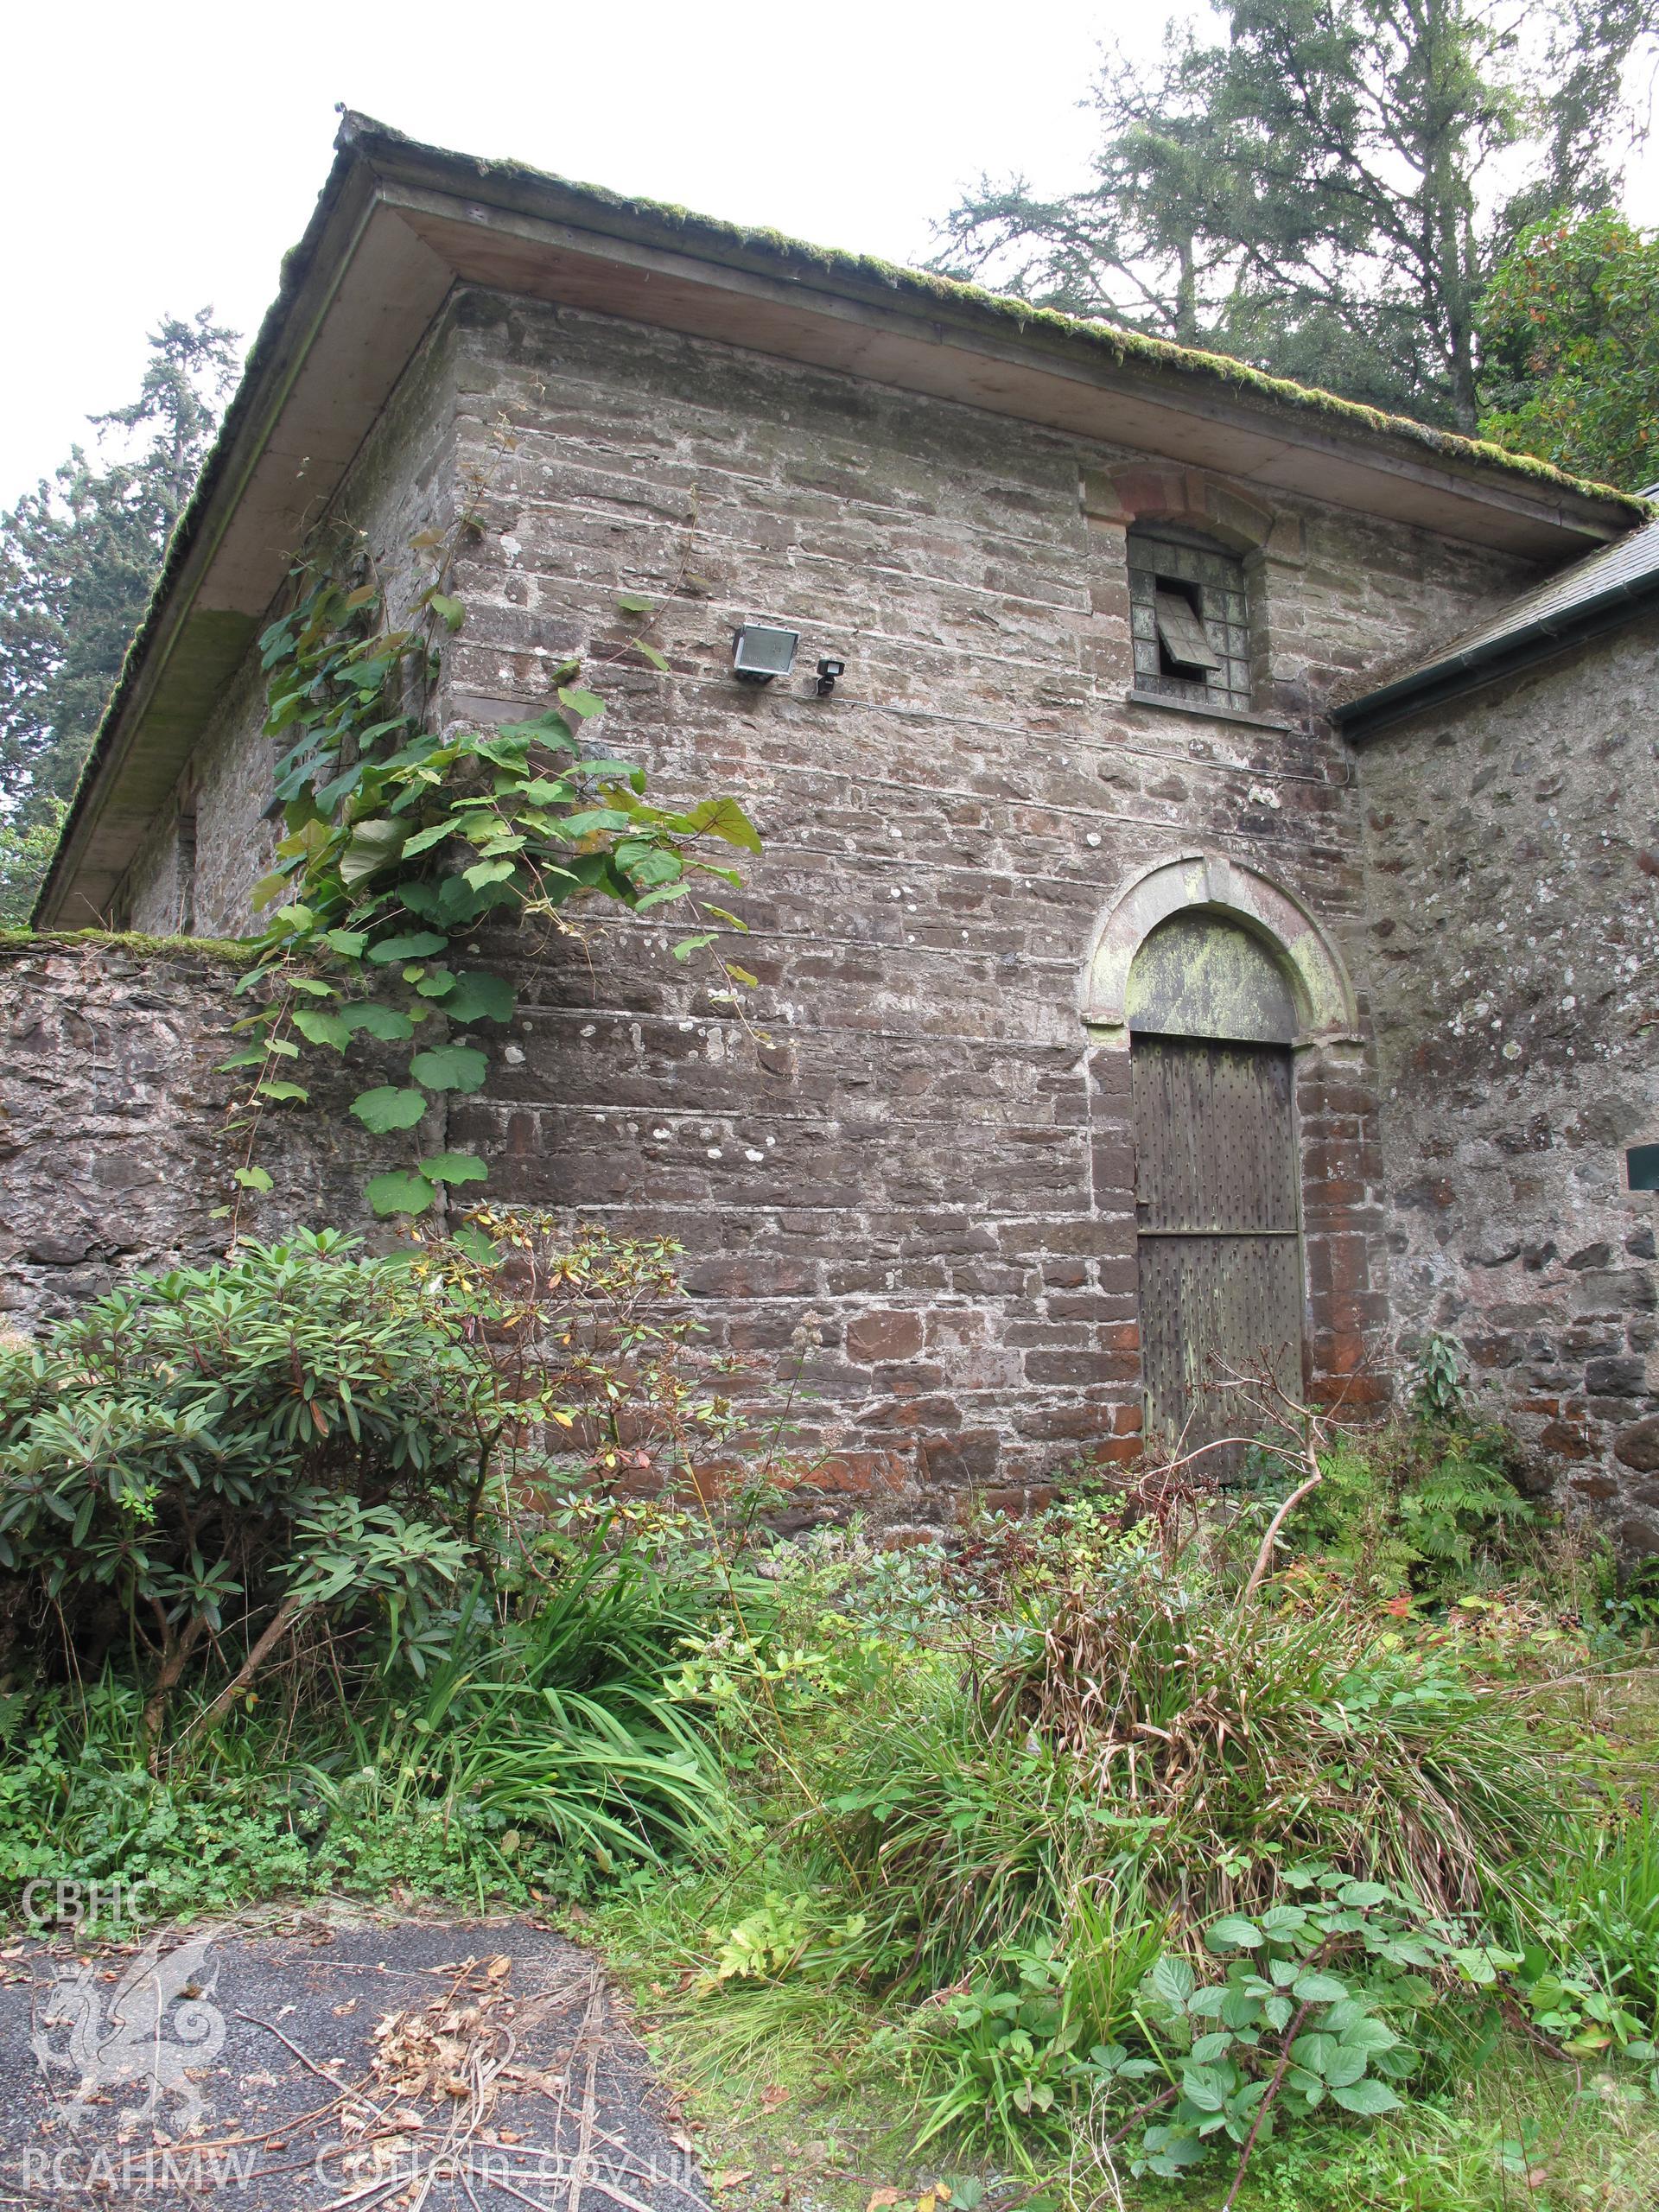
{"points": [[158, 158]]}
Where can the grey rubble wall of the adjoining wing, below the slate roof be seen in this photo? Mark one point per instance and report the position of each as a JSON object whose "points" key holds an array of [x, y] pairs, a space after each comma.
{"points": [[1512, 864]]}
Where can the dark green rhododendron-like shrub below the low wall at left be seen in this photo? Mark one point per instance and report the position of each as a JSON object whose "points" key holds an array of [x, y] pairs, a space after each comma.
{"points": [[205, 1459]]}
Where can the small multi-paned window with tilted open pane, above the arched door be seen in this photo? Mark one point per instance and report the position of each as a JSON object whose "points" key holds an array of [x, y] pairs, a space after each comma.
{"points": [[1189, 618]]}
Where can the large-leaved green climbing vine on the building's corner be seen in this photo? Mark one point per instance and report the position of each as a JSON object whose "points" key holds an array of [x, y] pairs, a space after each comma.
{"points": [[401, 844]]}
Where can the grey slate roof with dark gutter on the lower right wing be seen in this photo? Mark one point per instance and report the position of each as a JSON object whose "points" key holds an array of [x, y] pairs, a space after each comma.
{"points": [[1598, 594]]}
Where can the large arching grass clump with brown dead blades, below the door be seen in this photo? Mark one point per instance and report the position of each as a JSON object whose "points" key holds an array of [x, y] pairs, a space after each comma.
{"points": [[1244, 1735]]}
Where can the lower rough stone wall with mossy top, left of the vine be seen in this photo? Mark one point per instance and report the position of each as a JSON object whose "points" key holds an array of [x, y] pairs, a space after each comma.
{"points": [[114, 1147]]}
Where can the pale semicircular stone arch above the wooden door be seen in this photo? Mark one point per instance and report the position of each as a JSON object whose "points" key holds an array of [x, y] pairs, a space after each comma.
{"points": [[1213, 884]]}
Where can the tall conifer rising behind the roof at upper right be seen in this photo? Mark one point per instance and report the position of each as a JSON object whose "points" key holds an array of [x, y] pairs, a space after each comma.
{"points": [[1326, 191]]}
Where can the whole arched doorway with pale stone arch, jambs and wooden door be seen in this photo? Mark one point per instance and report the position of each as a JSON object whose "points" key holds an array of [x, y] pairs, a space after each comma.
{"points": [[1231, 1125]]}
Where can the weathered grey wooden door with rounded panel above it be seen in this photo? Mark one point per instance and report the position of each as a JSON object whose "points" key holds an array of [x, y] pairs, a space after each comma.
{"points": [[1218, 1193]]}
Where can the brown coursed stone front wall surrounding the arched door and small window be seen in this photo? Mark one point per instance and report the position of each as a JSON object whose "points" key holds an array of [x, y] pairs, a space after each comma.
{"points": [[921, 1154]]}
